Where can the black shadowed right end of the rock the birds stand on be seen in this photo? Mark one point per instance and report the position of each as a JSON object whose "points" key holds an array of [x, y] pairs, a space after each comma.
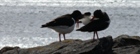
{"points": [[103, 47]]}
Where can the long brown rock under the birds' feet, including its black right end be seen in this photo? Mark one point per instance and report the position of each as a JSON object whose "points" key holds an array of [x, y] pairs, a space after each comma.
{"points": [[71, 47]]}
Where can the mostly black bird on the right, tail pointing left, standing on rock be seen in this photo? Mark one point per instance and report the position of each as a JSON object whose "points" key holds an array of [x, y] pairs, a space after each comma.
{"points": [[100, 21]]}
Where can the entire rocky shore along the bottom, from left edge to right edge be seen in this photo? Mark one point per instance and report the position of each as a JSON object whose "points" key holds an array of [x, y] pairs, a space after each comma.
{"points": [[122, 44]]}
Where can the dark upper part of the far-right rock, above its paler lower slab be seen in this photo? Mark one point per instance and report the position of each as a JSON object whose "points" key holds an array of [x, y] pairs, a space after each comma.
{"points": [[125, 40]]}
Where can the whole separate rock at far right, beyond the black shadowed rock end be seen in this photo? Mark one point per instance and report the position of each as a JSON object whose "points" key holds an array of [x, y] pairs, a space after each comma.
{"points": [[125, 44]]}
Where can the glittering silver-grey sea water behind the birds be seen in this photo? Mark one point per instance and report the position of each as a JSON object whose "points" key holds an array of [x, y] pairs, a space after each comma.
{"points": [[20, 20]]}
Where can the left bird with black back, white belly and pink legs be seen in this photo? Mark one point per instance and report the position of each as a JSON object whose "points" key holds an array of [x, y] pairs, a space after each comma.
{"points": [[64, 24]]}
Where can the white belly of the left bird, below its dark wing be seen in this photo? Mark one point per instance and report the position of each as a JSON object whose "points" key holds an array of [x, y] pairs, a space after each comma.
{"points": [[63, 29]]}
